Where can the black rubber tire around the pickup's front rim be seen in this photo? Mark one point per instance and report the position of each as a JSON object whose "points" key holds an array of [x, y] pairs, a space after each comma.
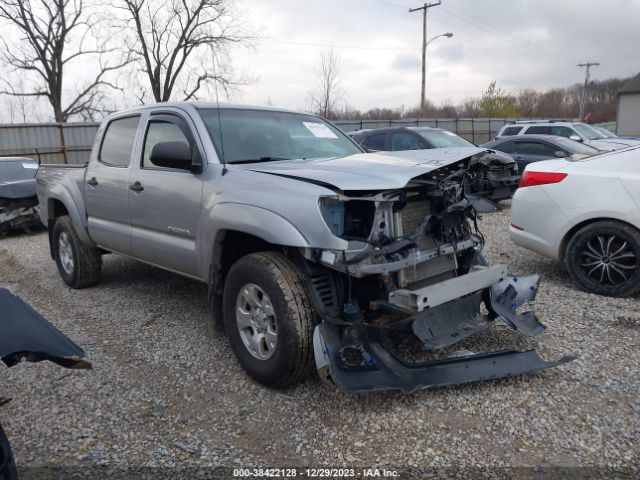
{"points": [[276, 275]]}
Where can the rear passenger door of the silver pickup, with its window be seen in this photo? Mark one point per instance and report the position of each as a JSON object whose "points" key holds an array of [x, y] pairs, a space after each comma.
{"points": [[106, 191]]}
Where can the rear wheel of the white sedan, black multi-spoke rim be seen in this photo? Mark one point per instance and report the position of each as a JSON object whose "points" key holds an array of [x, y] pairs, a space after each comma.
{"points": [[603, 266]]}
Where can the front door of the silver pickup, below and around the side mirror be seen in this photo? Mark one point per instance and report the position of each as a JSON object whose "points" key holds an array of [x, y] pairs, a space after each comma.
{"points": [[165, 203]]}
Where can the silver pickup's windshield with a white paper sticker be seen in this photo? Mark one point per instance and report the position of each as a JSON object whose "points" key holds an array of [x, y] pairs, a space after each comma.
{"points": [[262, 135]]}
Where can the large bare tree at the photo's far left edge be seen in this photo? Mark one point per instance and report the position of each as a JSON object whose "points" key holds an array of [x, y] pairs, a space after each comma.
{"points": [[53, 35]]}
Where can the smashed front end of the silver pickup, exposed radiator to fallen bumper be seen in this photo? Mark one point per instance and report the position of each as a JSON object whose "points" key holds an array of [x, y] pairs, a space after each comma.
{"points": [[414, 267]]}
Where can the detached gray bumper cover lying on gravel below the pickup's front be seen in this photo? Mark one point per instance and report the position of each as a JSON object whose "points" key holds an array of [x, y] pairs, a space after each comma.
{"points": [[381, 370]]}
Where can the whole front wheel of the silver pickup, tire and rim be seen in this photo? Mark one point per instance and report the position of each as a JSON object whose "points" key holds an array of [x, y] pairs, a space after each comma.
{"points": [[269, 319]]}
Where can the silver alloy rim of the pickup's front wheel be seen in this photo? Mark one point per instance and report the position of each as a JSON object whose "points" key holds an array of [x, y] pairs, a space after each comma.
{"points": [[256, 321]]}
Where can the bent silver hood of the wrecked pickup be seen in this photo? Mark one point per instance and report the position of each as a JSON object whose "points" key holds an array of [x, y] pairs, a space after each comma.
{"points": [[366, 171]]}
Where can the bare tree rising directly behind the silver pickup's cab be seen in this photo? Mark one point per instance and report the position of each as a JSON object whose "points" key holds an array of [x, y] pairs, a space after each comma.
{"points": [[181, 46]]}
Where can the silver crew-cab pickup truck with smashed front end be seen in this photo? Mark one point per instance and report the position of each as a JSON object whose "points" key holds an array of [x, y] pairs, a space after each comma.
{"points": [[315, 252]]}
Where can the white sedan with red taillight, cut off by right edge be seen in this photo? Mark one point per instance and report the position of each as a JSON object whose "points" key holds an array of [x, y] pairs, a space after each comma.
{"points": [[586, 214]]}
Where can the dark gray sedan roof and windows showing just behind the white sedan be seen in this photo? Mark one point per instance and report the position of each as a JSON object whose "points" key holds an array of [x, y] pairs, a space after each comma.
{"points": [[526, 149]]}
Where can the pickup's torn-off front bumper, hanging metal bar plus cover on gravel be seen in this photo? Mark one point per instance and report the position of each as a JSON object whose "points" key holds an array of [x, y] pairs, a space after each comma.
{"points": [[361, 356]]}
